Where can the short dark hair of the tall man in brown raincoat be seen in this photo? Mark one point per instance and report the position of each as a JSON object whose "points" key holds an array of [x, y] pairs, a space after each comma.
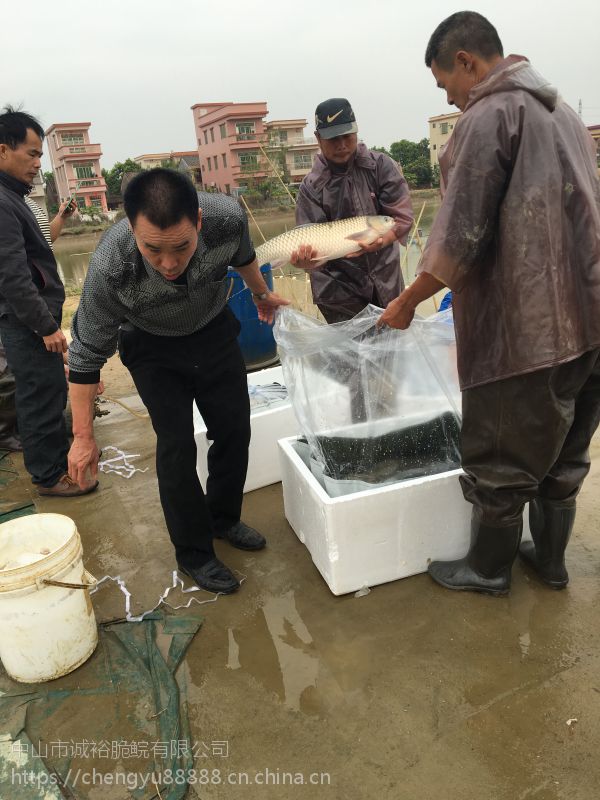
{"points": [[465, 30]]}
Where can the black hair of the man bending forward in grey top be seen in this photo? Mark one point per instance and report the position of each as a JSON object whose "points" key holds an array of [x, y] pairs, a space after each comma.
{"points": [[163, 196]]}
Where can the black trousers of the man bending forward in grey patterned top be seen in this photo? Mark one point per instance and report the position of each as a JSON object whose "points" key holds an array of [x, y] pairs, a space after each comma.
{"points": [[170, 373]]}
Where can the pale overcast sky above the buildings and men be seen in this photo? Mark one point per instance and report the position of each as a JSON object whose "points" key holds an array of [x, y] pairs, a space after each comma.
{"points": [[134, 68]]}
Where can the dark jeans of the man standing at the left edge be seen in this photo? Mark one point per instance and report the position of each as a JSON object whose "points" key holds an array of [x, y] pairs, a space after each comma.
{"points": [[41, 398]]}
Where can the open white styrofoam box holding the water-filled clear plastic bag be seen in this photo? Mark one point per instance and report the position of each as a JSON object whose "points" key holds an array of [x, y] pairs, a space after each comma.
{"points": [[377, 535]]}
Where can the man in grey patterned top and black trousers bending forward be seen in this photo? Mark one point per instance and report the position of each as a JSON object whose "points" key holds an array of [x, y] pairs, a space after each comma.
{"points": [[156, 287]]}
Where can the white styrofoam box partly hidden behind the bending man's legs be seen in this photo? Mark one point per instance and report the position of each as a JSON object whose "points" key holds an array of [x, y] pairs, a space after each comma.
{"points": [[267, 424]]}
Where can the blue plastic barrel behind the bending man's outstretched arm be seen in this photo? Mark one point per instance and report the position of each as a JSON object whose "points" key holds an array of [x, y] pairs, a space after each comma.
{"points": [[256, 338]]}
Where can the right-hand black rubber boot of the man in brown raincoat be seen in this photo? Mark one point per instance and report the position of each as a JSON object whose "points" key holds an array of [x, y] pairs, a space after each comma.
{"points": [[551, 524]]}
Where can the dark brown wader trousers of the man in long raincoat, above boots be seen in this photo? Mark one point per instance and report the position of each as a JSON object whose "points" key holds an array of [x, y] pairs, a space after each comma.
{"points": [[529, 436]]}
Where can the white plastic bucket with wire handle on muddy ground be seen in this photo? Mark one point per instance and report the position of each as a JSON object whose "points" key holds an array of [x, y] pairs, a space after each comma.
{"points": [[45, 630]]}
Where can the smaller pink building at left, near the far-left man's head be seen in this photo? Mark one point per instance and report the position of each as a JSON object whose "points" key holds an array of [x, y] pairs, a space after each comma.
{"points": [[76, 164]]}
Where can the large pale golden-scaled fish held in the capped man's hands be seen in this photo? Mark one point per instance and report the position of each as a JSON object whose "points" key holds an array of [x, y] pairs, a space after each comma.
{"points": [[330, 239]]}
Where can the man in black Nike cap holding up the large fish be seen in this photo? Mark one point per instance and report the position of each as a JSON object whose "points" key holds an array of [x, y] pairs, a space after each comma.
{"points": [[349, 180]]}
